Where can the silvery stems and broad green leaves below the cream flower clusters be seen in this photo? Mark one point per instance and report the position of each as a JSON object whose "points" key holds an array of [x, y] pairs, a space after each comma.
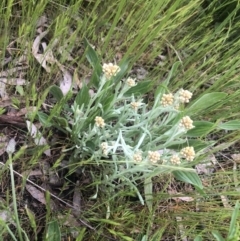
{"points": [[129, 128]]}
